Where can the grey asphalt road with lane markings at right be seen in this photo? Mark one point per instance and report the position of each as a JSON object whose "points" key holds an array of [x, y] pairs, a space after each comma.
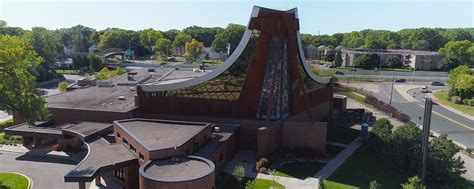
{"points": [[458, 128]]}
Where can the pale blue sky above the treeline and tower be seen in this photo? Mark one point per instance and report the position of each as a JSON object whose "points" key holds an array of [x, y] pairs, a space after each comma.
{"points": [[316, 16]]}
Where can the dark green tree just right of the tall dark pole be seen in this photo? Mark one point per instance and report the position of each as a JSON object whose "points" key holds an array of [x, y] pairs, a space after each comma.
{"points": [[443, 165]]}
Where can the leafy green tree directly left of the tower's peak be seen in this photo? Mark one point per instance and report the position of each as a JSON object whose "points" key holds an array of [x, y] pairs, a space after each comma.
{"points": [[232, 34]]}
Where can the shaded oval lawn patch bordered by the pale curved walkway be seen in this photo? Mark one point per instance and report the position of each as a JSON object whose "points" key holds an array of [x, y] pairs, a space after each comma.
{"points": [[300, 170]]}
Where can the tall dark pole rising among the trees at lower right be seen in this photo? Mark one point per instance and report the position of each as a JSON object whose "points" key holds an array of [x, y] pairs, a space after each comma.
{"points": [[425, 138]]}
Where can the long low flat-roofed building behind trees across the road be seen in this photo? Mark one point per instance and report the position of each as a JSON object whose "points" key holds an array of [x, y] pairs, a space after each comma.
{"points": [[421, 60]]}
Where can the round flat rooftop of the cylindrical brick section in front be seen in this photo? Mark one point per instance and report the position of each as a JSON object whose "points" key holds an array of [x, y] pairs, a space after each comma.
{"points": [[178, 169]]}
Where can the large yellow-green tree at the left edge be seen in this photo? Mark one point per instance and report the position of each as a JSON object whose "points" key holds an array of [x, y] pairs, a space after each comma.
{"points": [[18, 91]]}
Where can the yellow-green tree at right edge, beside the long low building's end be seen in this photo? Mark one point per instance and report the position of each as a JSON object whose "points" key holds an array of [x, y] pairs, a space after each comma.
{"points": [[462, 51]]}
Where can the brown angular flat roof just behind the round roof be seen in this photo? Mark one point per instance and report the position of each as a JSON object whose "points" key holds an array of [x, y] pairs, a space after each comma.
{"points": [[161, 134]]}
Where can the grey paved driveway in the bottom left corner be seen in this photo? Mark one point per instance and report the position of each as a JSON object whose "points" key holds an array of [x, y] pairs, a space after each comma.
{"points": [[46, 172]]}
